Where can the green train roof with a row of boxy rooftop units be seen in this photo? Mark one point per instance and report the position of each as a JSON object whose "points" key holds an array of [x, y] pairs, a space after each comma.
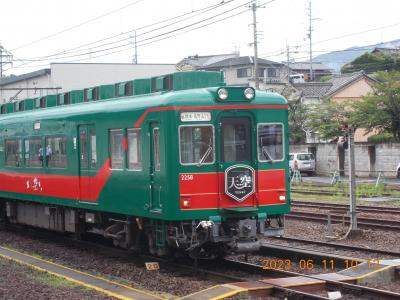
{"points": [[187, 92]]}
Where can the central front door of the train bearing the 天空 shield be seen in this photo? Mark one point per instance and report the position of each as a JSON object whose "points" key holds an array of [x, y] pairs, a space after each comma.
{"points": [[237, 181]]}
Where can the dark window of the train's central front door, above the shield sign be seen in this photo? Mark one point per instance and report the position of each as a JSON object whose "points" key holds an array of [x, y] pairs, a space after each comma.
{"points": [[236, 142]]}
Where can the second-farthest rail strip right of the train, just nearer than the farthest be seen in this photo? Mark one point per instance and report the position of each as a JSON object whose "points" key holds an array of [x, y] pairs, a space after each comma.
{"points": [[340, 218]]}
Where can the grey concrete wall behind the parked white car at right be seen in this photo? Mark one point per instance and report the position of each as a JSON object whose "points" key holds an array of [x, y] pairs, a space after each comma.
{"points": [[370, 159]]}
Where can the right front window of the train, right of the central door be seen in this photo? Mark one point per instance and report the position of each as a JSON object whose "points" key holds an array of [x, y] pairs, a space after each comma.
{"points": [[270, 142]]}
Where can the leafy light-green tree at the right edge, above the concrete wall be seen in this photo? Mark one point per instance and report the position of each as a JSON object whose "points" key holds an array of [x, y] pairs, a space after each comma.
{"points": [[380, 111]]}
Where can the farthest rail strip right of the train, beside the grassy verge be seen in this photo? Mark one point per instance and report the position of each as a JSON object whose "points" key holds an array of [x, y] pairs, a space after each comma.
{"points": [[345, 207]]}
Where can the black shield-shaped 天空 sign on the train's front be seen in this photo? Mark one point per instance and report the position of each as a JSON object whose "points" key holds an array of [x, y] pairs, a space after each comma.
{"points": [[239, 182]]}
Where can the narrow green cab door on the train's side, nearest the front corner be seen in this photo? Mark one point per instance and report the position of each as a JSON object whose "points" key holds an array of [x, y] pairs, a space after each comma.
{"points": [[155, 202]]}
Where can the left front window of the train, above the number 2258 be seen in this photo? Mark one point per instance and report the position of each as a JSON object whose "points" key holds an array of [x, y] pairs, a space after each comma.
{"points": [[196, 145]]}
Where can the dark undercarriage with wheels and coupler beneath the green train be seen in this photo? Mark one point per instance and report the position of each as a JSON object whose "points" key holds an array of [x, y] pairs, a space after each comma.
{"points": [[200, 239]]}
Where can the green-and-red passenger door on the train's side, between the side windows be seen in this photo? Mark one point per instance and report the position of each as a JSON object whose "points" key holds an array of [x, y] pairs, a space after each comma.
{"points": [[87, 159]]}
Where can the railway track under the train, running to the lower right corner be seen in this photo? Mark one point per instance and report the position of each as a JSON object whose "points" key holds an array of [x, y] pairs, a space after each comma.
{"points": [[248, 270]]}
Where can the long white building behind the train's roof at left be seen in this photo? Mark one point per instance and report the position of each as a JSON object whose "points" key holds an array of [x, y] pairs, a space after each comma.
{"points": [[73, 76]]}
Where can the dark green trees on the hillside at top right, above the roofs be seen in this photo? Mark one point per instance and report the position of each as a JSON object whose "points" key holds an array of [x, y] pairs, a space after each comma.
{"points": [[373, 62]]}
